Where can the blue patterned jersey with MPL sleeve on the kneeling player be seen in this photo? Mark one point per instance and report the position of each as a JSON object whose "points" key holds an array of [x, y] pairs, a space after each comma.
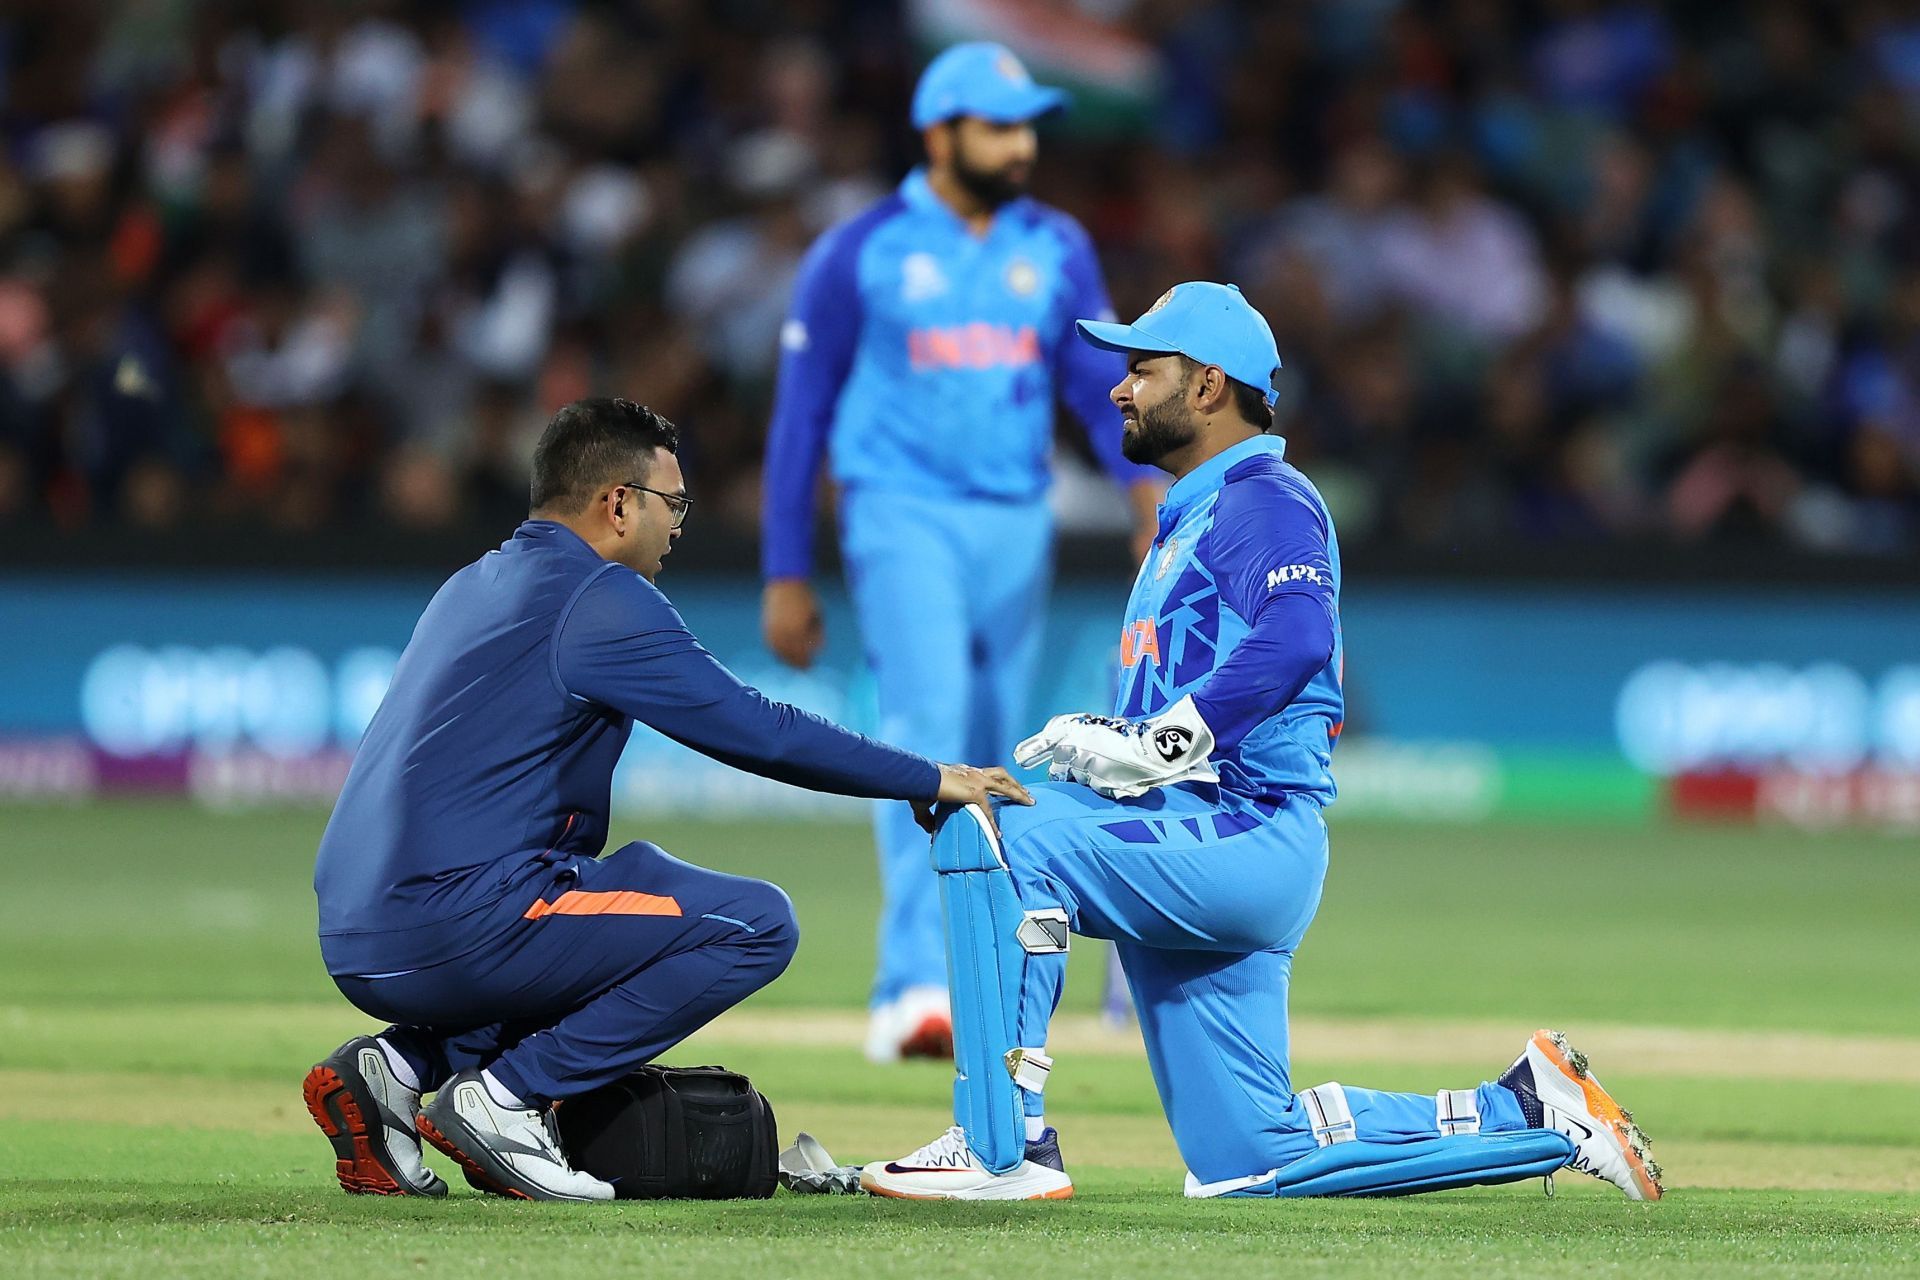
{"points": [[1239, 605]]}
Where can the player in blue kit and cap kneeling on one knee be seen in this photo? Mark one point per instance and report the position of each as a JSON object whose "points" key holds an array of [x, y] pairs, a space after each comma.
{"points": [[1188, 828]]}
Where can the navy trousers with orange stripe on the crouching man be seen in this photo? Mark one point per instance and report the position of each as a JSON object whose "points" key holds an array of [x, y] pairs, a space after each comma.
{"points": [[600, 970]]}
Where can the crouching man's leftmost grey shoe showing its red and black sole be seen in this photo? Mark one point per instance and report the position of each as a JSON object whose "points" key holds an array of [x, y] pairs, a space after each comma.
{"points": [[370, 1120]]}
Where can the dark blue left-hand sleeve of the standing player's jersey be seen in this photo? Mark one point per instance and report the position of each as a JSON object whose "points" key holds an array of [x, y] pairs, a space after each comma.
{"points": [[817, 348]]}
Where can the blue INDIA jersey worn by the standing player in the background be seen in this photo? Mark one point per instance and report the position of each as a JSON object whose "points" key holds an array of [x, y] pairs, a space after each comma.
{"points": [[926, 360]]}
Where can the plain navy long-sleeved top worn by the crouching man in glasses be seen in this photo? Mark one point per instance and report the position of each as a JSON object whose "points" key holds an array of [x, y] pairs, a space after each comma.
{"points": [[492, 753]]}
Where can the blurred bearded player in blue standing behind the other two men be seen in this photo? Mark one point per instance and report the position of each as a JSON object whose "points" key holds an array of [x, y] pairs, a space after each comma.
{"points": [[928, 344]]}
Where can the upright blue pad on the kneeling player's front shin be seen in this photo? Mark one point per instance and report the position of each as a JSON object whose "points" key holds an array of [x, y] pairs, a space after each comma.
{"points": [[988, 941]]}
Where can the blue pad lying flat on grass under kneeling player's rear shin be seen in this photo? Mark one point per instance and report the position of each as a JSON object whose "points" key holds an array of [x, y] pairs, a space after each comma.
{"points": [[1406, 1168]]}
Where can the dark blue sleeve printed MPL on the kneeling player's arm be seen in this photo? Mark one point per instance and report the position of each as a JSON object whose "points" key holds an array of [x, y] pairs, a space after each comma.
{"points": [[1268, 552]]}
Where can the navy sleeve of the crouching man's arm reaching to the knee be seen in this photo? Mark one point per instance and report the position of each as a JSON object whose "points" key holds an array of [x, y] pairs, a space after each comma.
{"points": [[623, 646]]}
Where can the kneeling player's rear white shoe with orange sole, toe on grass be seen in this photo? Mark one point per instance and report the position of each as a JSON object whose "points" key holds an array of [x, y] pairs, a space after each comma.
{"points": [[1558, 1093]]}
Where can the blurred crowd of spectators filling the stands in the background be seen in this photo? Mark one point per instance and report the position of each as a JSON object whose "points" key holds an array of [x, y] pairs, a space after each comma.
{"points": [[1541, 272]]}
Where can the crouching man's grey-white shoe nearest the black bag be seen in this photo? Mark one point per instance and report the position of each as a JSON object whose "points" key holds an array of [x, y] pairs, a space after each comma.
{"points": [[504, 1150]]}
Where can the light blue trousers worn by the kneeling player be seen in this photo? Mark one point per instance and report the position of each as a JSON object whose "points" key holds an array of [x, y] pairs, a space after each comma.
{"points": [[1207, 897]]}
